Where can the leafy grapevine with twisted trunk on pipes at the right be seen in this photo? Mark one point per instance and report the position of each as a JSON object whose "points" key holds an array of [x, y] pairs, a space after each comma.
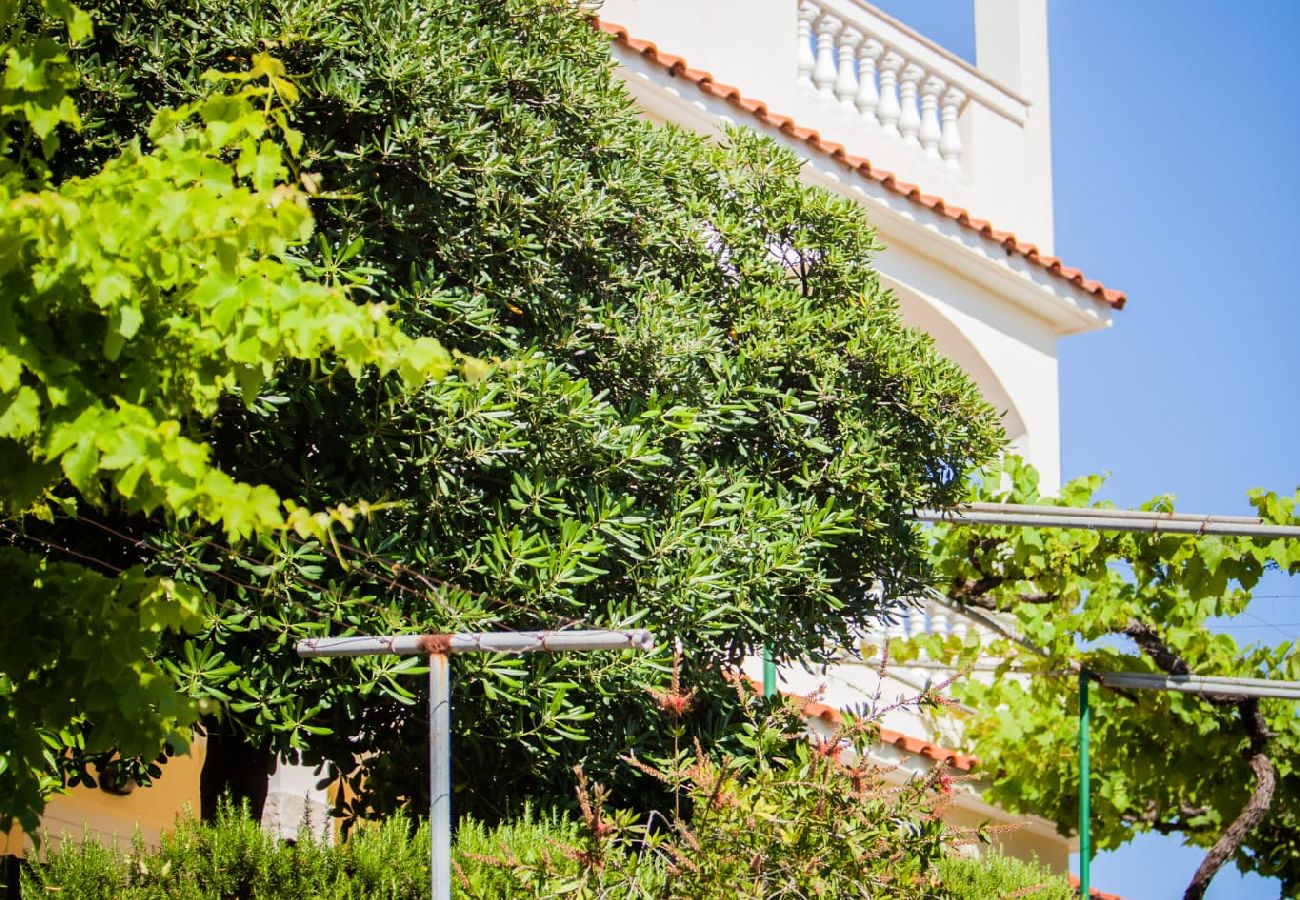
{"points": [[1221, 772]]}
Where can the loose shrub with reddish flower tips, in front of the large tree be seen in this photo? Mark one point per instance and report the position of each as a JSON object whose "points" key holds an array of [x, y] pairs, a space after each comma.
{"points": [[788, 819]]}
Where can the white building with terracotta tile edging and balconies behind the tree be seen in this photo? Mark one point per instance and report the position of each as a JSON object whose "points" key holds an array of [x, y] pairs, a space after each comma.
{"points": [[954, 165]]}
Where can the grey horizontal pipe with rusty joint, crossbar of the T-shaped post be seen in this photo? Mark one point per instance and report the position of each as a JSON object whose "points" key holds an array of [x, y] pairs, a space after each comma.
{"points": [[522, 642]]}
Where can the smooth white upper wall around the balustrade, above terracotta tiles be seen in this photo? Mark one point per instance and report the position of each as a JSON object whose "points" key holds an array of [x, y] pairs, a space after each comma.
{"points": [[1007, 170]]}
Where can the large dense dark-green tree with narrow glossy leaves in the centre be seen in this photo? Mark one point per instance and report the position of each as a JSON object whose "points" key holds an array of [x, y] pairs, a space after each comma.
{"points": [[703, 412]]}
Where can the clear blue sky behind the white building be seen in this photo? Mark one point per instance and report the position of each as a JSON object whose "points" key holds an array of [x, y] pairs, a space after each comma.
{"points": [[1177, 179]]}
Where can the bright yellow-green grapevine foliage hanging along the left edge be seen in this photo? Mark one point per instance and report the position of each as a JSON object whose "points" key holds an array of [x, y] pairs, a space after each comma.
{"points": [[133, 301]]}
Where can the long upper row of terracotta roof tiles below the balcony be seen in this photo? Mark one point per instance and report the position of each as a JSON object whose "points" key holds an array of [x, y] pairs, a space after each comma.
{"points": [[705, 83]]}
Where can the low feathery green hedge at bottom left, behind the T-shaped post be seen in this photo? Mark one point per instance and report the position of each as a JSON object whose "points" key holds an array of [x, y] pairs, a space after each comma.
{"points": [[233, 859]]}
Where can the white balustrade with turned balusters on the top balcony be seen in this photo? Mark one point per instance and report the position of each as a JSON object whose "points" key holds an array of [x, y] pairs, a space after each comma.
{"points": [[886, 77]]}
